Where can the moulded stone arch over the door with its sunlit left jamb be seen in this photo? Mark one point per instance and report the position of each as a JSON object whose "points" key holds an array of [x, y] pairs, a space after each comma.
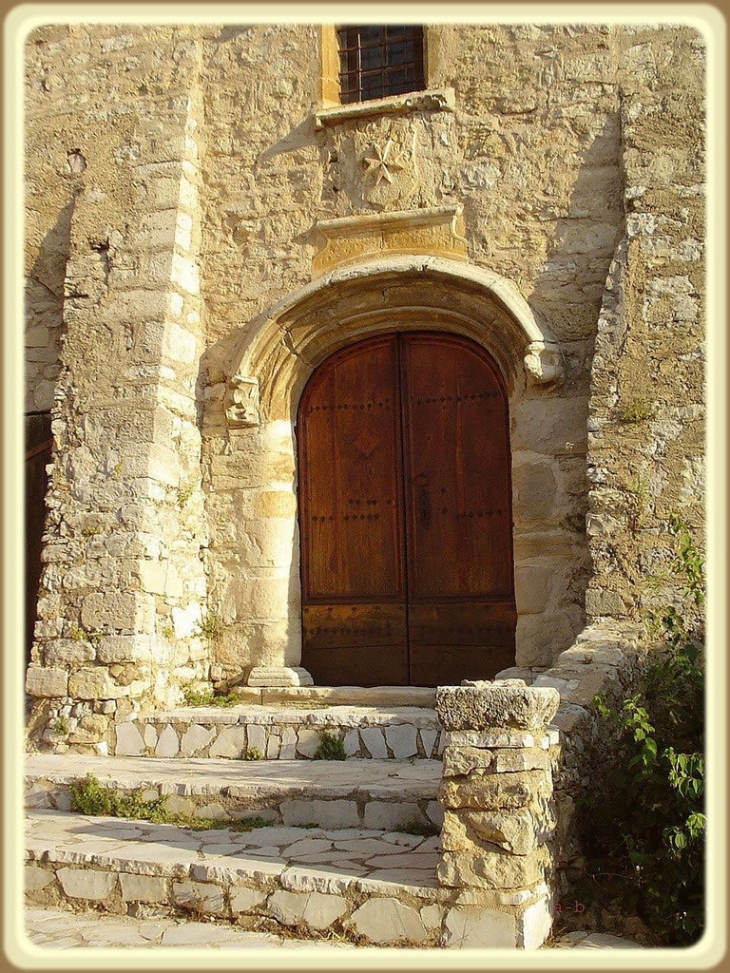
{"points": [[277, 355]]}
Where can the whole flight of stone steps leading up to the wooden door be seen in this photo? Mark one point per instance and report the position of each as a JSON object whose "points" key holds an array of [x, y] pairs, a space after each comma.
{"points": [[345, 850]]}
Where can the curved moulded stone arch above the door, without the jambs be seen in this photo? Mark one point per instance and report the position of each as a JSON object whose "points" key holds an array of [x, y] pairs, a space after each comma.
{"points": [[282, 346]]}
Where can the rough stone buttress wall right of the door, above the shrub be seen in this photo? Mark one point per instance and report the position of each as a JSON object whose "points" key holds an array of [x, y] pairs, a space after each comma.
{"points": [[646, 426]]}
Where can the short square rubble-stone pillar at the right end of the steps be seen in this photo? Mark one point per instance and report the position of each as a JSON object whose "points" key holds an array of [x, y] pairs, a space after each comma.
{"points": [[496, 793]]}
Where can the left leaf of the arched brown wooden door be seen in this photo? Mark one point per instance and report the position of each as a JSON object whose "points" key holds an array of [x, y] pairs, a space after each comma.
{"points": [[351, 499]]}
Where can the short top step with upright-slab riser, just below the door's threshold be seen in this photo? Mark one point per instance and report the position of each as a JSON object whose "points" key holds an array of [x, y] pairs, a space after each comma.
{"points": [[283, 731]]}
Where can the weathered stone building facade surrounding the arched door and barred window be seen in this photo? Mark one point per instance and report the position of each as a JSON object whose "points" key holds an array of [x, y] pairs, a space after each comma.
{"points": [[205, 225]]}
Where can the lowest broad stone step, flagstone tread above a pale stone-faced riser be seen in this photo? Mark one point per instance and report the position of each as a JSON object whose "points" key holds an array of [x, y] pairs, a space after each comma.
{"points": [[372, 886]]}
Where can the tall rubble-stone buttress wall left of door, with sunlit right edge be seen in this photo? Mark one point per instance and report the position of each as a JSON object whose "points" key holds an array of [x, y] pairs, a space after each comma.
{"points": [[123, 587]]}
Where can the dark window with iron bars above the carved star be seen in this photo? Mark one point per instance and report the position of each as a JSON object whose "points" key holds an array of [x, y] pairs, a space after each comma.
{"points": [[377, 61]]}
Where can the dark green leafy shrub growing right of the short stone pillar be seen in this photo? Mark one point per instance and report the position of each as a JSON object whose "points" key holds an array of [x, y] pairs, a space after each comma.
{"points": [[643, 824]]}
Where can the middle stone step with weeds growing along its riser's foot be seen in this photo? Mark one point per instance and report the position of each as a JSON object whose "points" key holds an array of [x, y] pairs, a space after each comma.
{"points": [[334, 794]]}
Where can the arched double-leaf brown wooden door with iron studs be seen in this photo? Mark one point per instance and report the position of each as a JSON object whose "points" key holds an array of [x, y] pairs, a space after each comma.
{"points": [[405, 514]]}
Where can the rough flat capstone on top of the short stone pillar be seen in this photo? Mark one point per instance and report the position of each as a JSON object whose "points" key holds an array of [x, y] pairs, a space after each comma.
{"points": [[486, 705]]}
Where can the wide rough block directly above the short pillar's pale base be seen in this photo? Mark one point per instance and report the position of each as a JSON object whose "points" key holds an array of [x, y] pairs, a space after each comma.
{"points": [[490, 870]]}
